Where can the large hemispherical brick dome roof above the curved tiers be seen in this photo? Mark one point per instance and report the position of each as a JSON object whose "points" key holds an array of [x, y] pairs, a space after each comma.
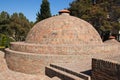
{"points": [[63, 29]]}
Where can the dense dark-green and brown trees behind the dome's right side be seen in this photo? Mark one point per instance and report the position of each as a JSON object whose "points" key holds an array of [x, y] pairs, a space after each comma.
{"points": [[102, 14]]}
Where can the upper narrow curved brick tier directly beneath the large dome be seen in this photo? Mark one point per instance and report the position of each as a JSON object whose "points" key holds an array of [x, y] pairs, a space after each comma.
{"points": [[60, 49]]}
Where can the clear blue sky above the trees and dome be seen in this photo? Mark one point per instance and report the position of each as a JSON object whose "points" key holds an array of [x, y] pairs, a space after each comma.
{"points": [[30, 7]]}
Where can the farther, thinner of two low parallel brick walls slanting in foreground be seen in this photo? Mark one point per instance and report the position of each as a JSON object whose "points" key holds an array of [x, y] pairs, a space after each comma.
{"points": [[81, 75]]}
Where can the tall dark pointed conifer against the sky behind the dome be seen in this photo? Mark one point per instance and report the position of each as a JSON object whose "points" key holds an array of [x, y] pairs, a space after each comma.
{"points": [[44, 11]]}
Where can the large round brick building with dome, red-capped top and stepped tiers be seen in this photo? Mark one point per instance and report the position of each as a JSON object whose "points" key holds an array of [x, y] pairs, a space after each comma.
{"points": [[57, 39]]}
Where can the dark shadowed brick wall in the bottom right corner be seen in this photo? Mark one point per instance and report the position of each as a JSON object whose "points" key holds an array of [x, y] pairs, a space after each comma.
{"points": [[105, 70]]}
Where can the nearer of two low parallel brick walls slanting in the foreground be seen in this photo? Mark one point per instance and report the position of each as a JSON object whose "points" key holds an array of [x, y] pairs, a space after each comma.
{"points": [[53, 72]]}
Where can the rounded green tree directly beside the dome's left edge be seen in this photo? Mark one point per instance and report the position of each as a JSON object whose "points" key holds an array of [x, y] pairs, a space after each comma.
{"points": [[20, 26]]}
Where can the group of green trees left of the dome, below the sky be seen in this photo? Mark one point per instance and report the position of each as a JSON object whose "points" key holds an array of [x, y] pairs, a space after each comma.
{"points": [[15, 26]]}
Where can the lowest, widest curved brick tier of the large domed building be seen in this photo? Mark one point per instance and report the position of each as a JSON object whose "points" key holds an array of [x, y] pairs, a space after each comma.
{"points": [[35, 63]]}
